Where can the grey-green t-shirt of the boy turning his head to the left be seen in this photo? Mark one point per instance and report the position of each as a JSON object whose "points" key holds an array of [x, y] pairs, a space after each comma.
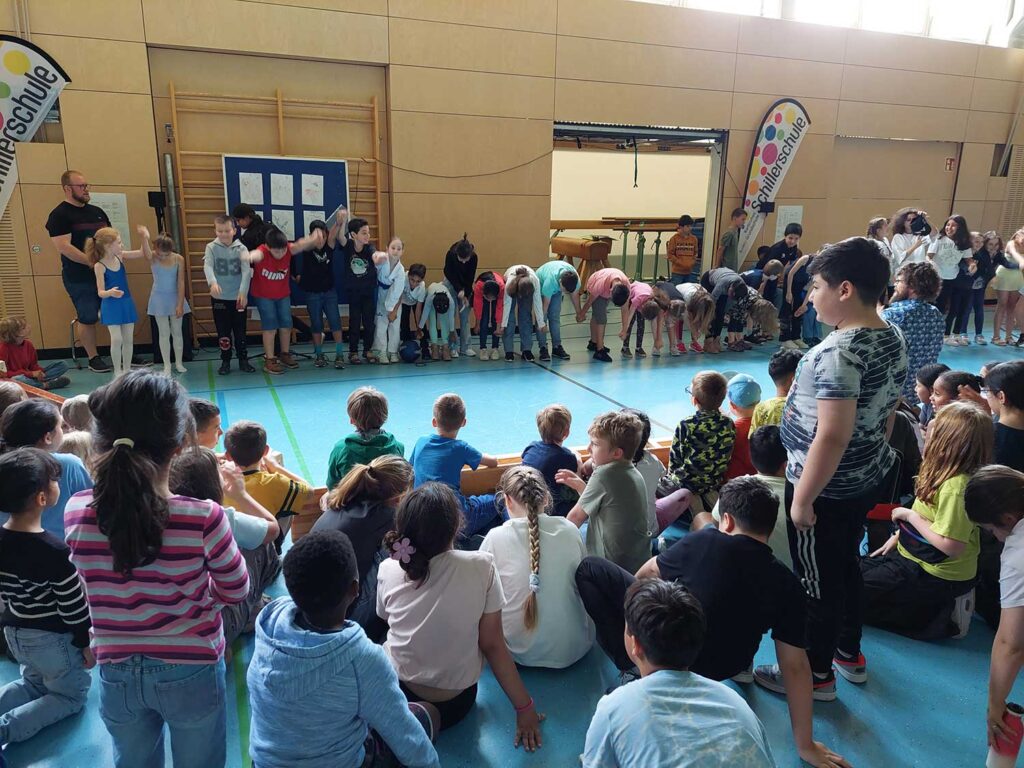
{"points": [[616, 503]]}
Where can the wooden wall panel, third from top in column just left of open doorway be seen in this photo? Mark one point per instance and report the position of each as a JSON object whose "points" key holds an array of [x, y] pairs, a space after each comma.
{"points": [[460, 93]]}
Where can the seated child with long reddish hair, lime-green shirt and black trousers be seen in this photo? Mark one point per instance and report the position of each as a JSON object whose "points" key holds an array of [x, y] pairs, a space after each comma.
{"points": [[911, 585]]}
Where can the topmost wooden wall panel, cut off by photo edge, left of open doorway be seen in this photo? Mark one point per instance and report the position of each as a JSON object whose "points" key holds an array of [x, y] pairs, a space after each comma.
{"points": [[529, 16]]}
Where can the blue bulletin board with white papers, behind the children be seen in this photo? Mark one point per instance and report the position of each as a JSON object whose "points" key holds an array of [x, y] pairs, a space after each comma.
{"points": [[289, 193]]}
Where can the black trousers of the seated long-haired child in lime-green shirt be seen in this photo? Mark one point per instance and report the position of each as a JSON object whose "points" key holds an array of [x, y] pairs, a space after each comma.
{"points": [[903, 598]]}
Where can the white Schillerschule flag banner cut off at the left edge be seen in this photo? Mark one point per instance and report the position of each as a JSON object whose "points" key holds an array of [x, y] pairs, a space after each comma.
{"points": [[30, 83]]}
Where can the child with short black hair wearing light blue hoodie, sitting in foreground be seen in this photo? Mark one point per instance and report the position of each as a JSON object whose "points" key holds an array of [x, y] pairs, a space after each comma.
{"points": [[320, 673]]}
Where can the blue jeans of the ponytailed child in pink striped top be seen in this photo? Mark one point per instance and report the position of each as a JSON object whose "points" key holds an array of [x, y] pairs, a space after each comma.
{"points": [[139, 696]]}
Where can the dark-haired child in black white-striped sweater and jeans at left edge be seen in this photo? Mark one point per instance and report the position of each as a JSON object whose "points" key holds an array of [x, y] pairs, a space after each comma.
{"points": [[46, 619]]}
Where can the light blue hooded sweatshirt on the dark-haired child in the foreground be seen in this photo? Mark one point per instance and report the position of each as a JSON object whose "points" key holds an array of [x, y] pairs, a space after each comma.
{"points": [[314, 696]]}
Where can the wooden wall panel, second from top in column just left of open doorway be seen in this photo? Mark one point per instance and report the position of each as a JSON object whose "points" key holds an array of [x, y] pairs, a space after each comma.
{"points": [[451, 47]]}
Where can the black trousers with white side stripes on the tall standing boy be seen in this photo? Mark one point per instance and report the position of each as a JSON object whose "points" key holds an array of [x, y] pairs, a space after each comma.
{"points": [[827, 560]]}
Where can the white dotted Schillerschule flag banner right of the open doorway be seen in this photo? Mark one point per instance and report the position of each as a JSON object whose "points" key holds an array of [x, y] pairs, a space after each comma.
{"points": [[782, 133]]}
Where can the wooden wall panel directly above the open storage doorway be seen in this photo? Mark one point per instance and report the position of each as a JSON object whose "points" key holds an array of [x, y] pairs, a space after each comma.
{"points": [[581, 101]]}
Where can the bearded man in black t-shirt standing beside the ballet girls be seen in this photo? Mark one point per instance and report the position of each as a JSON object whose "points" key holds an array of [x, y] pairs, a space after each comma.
{"points": [[70, 226]]}
